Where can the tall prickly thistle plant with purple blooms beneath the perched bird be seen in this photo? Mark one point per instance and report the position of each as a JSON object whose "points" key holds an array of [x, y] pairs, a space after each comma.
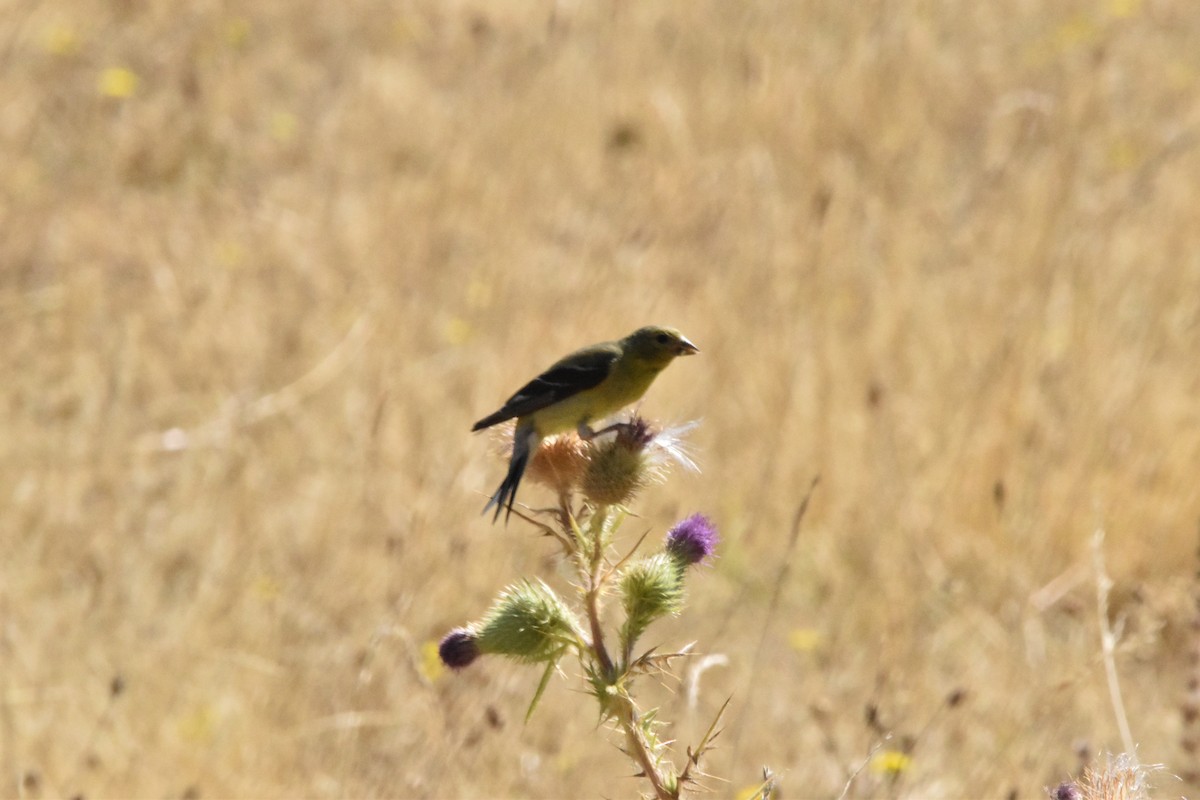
{"points": [[595, 483]]}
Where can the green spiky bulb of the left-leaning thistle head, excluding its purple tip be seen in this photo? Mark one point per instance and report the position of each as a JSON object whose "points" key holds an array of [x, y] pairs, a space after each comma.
{"points": [[529, 623]]}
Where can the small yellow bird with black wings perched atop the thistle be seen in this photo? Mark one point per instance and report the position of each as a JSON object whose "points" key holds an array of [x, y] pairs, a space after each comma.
{"points": [[587, 386]]}
